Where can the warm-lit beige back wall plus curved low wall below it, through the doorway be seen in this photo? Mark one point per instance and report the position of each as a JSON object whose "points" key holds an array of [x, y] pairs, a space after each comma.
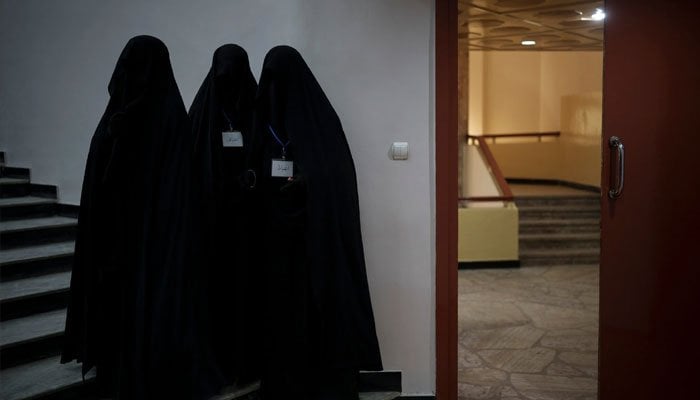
{"points": [[513, 92]]}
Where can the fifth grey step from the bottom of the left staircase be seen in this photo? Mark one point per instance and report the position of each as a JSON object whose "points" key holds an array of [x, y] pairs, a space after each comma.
{"points": [[37, 231]]}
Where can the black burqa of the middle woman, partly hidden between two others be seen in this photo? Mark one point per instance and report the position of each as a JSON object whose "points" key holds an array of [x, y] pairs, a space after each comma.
{"points": [[224, 103]]}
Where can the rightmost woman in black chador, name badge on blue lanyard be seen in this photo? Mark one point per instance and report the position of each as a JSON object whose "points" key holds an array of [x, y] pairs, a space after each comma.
{"points": [[319, 327]]}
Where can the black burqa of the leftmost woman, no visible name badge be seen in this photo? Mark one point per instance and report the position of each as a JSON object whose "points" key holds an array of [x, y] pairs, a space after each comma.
{"points": [[130, 313]]}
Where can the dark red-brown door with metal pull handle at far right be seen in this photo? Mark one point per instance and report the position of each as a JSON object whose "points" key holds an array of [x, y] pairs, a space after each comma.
{"points": [[650, 250]]}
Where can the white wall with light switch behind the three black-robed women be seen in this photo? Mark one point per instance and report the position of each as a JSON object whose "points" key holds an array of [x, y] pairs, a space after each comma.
{"points": [[373, 58]]}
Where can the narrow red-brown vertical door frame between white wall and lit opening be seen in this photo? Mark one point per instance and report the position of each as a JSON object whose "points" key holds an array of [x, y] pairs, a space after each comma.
{"points": [[446, 198]]}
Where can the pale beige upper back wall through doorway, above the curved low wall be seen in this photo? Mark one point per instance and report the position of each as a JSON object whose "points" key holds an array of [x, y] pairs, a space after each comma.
{"points": [[521, 91]]}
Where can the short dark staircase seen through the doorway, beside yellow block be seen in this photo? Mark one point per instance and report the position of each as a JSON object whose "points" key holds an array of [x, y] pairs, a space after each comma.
{"points": [[559, 230]]}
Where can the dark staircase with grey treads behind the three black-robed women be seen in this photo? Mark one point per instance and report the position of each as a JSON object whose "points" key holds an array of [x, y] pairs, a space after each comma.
{"points": [[37, 237]]}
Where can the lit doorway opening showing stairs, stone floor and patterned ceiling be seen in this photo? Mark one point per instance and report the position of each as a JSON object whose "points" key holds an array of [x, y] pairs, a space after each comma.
{"points": [[529, 127]]}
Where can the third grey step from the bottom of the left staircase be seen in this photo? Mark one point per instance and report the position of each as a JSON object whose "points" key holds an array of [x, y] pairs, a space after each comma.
{"points": [[24, 297]]}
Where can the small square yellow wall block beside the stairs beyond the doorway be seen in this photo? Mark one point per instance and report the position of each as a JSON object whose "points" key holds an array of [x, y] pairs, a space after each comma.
{"points": [[488, 234]]}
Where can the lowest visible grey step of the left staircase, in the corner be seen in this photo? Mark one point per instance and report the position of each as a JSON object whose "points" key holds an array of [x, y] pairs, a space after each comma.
{"points": [[43, 379]]}
